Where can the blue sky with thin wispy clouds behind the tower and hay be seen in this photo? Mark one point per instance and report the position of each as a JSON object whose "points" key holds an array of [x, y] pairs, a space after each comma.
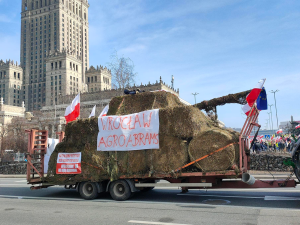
{"points": [[213, 48]]}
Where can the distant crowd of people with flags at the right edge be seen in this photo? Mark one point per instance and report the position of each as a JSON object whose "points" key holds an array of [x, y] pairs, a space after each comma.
{"points": [[281, 144]]}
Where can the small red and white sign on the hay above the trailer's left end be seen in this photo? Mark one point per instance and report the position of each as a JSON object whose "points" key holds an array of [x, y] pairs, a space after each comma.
{"points": [[68, 163]]}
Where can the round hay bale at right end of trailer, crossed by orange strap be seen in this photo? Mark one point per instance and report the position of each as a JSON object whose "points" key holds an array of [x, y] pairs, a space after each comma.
{"points": [[209, 141]]}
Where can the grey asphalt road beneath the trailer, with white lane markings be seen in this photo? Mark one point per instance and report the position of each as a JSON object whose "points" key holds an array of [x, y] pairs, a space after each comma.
{"points": [[55, 205]]}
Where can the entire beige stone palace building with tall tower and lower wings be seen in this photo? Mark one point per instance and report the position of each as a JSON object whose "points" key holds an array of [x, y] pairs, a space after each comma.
{"points": [[54, 63]]}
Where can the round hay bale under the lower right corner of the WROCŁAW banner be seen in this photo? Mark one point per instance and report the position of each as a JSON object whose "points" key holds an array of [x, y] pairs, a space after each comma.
{"points": [[172, 153]]}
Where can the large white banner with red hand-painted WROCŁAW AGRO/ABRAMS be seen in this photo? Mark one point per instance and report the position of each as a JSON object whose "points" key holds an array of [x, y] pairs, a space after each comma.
{"points": [[130, 132]]}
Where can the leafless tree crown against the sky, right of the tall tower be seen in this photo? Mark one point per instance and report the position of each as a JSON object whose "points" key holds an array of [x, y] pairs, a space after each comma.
{"points": [[122, 71]]}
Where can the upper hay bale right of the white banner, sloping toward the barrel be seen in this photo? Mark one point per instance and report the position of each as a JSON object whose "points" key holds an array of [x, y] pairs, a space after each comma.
{"points": [[183, 121]]}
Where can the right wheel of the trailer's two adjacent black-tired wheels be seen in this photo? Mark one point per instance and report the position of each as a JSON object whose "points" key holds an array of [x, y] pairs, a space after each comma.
{"points": [[119, 190]]}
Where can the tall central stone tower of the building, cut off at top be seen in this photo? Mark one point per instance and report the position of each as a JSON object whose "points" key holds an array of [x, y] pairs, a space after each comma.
{"points": [[51, 28]]}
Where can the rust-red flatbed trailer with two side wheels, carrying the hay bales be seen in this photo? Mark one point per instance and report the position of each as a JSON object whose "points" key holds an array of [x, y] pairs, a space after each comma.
{"points": [[124, 186]]}
